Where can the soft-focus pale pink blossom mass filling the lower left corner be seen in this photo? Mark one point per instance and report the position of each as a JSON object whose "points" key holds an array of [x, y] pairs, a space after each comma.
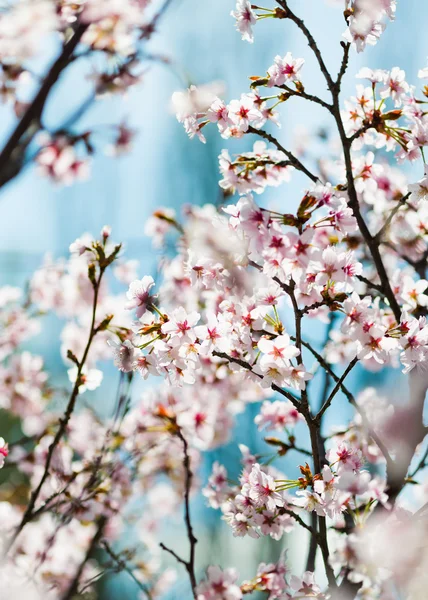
{"points": [[93, 475]]}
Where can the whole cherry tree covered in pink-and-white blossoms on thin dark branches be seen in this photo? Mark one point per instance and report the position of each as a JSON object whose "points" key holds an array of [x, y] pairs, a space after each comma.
{"points": [[229, 322]]}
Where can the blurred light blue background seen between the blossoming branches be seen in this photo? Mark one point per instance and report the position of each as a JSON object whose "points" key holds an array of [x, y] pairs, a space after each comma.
{"points": [[164, 168]]}
